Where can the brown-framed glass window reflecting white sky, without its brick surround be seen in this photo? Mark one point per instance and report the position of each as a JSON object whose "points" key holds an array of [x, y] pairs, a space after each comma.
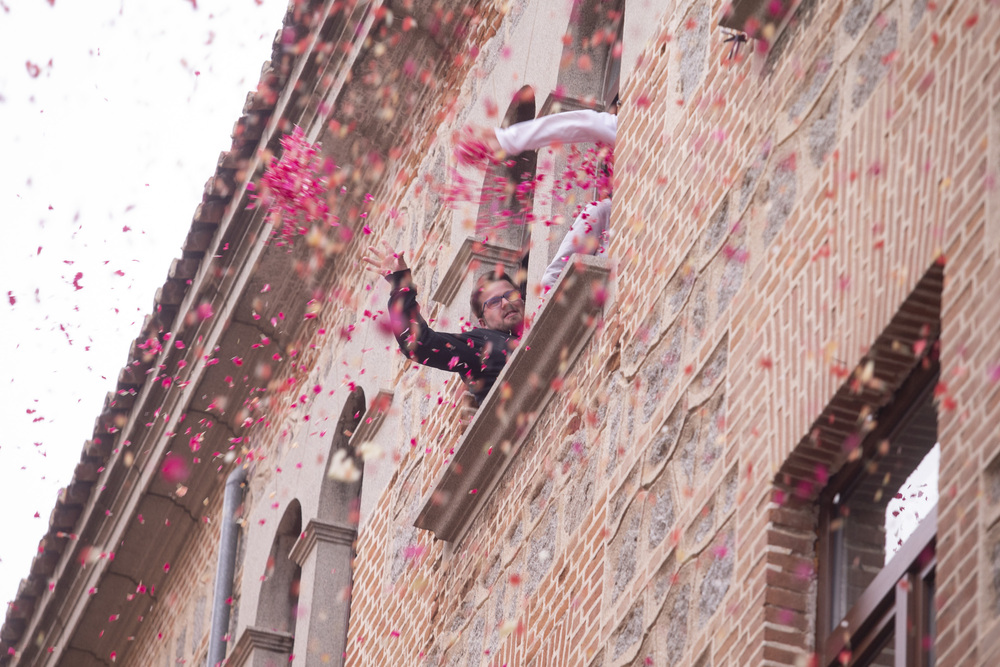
{"points": [[878, 526]]}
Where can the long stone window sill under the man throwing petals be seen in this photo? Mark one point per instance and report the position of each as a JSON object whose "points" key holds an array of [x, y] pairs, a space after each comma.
{"points": [[502, 423]]}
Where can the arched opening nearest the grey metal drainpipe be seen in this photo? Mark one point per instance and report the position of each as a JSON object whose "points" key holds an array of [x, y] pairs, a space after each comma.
{"points": [[279, 593]]}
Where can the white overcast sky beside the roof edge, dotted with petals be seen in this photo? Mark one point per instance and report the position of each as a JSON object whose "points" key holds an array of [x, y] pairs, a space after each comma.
{"points": [[106, 148]]}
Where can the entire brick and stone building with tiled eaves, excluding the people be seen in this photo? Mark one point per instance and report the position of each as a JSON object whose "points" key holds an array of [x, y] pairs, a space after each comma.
{"points": [[693, 455]]}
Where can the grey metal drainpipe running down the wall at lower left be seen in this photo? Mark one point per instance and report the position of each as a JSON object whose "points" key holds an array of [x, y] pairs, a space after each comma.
{"points": [[226, 567]]}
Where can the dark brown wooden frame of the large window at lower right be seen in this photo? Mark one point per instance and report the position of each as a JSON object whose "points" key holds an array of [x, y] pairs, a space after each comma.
{"points": [[899, 601]]}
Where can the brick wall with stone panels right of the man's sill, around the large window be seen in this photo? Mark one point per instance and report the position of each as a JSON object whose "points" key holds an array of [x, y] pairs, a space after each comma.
{"points": [[771, 216]]}
